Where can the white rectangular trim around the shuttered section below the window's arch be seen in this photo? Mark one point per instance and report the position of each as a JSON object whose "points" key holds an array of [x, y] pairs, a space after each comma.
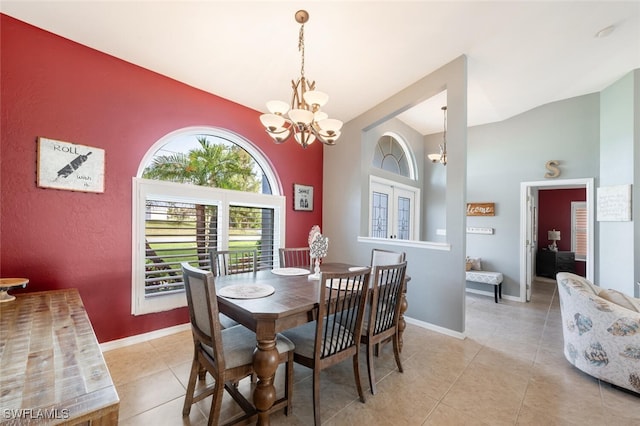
{"points": [[143, 188]]}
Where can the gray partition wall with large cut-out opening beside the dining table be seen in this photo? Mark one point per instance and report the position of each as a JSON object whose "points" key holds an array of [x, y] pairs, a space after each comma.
{"points": [[436, 292]]}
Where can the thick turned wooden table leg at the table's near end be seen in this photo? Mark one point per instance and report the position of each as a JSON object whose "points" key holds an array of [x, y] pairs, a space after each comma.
{"points": [[265, 364]]}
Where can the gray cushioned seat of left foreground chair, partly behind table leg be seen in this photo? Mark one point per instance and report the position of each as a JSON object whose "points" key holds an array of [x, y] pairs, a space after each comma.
{"points": [[238, 343]]}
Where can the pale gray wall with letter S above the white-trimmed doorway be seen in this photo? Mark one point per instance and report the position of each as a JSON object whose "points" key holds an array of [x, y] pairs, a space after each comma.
{"points": [[502, 155]]}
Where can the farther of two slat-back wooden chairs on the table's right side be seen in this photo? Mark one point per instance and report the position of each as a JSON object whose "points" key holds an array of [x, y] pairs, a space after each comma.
{"points": [[383, 313]]}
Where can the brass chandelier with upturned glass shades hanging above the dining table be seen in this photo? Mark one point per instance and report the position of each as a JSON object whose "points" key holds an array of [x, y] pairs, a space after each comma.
{"points": [[302, 117]]}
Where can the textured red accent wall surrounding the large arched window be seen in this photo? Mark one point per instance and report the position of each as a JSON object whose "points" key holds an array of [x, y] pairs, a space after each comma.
{"points": [[55, 88]]}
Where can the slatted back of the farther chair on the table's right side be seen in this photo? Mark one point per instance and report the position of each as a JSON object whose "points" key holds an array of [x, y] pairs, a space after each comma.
{"points": [[386, 297]]}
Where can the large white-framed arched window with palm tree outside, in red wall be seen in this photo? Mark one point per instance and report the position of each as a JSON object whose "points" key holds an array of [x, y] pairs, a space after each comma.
{"points": [[197, 190]]}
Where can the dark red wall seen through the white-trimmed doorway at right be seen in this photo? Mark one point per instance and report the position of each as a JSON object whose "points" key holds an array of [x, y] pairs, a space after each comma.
{"points": [[554, 212]]}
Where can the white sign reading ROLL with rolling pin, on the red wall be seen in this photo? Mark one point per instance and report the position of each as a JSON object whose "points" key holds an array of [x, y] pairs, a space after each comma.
{"points": [[64, 165]]}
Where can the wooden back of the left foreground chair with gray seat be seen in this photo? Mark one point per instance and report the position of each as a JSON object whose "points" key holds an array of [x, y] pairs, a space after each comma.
{"points": [[203, 310]]}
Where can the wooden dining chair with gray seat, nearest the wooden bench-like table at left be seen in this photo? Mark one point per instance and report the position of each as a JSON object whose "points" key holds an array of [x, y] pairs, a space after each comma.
{"points": [[226, 354]]}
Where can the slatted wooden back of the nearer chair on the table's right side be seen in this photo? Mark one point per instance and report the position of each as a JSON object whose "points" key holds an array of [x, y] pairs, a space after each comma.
{"points": [[340, 318]]}
